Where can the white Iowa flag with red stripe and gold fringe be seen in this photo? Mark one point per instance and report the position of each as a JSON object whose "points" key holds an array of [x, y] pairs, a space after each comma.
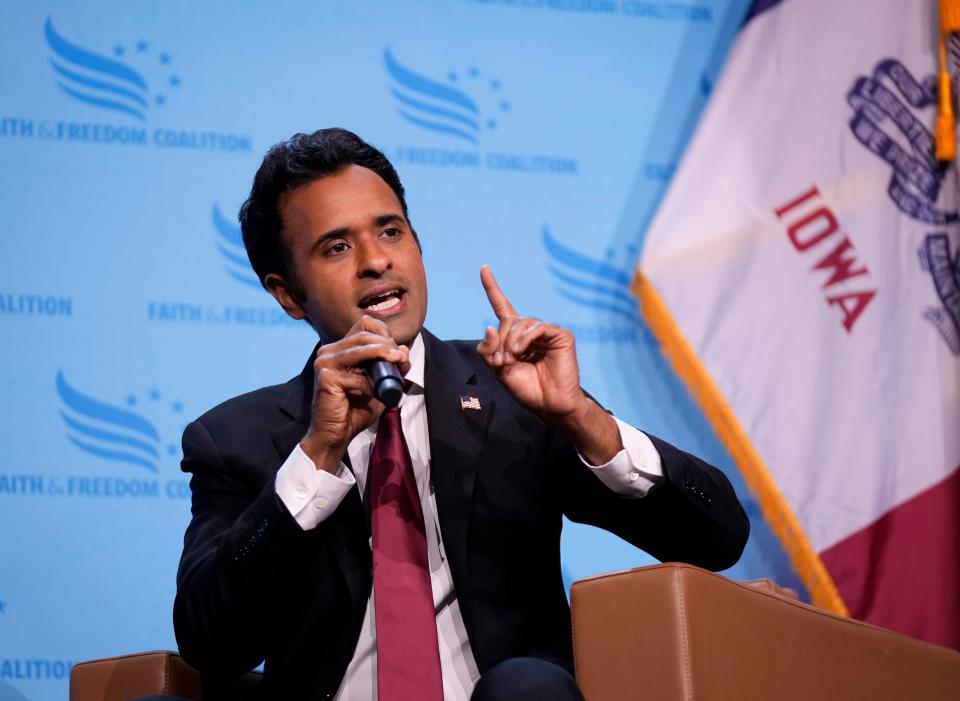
{"points": [[802, 274]]}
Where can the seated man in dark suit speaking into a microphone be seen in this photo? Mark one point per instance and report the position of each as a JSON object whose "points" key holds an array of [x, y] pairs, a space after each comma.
{"points": [[410, 552]]}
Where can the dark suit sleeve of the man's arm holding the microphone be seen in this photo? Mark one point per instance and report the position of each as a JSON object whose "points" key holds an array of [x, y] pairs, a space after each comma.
{"points": [[239, 549]]}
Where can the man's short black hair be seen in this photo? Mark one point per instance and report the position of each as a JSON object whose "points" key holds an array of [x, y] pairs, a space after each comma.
{"points": [[289, 165]]}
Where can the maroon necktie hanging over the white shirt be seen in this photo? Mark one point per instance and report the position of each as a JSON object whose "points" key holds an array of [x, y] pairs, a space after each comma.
{"points": [[408, 657]]}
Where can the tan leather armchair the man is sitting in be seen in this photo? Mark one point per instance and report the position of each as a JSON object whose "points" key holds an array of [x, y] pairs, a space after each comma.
{"points": [[668, 632]]}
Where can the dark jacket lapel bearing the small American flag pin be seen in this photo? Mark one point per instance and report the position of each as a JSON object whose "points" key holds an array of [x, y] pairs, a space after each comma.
{"points": [[457, 437]]}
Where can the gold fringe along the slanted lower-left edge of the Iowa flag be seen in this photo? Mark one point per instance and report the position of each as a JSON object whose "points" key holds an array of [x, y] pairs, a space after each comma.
{"points": [[783, 522]]}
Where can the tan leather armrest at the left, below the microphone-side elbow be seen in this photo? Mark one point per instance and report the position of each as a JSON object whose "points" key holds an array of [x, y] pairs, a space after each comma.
{"points": [[128, 676]]}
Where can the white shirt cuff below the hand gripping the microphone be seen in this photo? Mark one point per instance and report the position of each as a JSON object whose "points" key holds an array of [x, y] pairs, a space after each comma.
{"points": [[309, 494]]}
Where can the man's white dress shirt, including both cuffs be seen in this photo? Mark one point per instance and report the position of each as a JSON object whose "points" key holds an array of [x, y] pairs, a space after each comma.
{"points": [[311, 495]]}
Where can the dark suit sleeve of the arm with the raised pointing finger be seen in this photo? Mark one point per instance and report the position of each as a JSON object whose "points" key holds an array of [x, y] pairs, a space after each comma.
{"points": [[692, 515]]}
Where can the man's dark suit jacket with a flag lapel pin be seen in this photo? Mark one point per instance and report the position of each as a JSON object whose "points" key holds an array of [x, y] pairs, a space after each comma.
{"points": [[253, 586]]}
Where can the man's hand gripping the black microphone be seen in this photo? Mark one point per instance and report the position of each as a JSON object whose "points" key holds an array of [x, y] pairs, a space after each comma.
{"points": [[343, 401]]}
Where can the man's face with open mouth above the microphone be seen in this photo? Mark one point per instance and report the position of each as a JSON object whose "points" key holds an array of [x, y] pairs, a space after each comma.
{"points": [[353, 253]]}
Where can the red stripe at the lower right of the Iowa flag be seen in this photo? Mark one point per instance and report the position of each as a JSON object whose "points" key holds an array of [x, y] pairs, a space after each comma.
{"points": [[903, 571]]}
